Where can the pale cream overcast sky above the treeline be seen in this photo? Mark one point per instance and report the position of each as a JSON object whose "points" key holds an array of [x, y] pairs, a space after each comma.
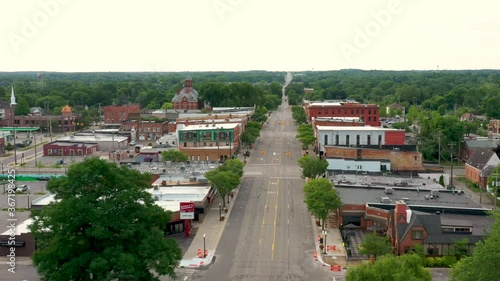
{"points": [[231, 35]]}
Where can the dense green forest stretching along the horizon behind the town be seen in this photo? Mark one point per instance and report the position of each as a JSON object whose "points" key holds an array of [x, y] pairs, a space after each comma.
{"points": [[434, 100]]}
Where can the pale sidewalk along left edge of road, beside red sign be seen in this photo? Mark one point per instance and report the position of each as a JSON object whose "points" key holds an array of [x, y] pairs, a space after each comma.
{"points": [[212, 228]]}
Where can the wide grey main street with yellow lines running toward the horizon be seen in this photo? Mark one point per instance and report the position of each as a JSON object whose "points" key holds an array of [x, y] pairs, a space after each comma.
{"points": [[269, 234]]}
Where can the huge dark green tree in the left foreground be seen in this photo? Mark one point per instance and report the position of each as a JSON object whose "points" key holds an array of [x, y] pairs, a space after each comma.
{"points": [[104, 225]]}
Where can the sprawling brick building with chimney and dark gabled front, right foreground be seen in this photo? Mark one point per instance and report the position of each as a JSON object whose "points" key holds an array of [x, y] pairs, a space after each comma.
{"points": [[435, 219]]}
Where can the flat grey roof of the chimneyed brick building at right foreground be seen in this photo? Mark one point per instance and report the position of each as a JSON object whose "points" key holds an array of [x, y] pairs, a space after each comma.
{"points": [[411, 196]]}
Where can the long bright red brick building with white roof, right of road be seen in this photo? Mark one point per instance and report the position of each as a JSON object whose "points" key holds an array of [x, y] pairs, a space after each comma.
{"points": [[369, 113]]}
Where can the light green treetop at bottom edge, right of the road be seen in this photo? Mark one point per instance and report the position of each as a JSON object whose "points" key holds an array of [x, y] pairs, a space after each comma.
{"points": [[391, 268]]}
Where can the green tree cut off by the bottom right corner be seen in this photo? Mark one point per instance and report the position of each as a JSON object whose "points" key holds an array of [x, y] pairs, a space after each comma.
{"points": [[483, 264]]}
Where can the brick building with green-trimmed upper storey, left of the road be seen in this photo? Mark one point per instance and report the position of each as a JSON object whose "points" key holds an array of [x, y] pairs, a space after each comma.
{"points": [[210, 142]]}
